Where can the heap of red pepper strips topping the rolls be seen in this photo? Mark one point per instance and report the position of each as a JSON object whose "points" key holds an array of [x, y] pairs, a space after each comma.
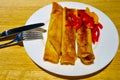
{"points": [[84, 19]]}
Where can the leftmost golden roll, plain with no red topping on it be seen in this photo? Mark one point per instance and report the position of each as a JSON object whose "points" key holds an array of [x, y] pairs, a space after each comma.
{"points": [[53, 44]]}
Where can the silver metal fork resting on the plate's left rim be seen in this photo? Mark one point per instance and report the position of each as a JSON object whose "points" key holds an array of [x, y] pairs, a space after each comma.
{"points": [[25, 35]]}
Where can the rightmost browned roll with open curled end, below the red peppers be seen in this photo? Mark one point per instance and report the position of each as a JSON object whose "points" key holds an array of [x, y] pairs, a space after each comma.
{"points": [[84, 42]]}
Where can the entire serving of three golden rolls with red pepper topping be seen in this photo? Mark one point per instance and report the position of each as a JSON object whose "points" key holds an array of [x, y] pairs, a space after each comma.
{"points": [[71, 33]]}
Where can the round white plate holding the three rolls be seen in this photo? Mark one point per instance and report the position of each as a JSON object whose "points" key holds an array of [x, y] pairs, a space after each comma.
{"points": [[104, 51]]}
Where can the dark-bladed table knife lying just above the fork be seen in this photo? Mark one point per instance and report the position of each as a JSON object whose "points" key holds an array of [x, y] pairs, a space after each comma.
{"points": [[20, 29]]}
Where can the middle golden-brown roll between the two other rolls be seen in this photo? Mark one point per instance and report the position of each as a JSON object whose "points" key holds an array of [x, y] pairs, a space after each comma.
{"points": [[68, 39]]}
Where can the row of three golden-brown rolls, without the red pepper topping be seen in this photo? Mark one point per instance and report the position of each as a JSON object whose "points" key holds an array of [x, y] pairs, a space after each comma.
{"points": [[61, 39]]}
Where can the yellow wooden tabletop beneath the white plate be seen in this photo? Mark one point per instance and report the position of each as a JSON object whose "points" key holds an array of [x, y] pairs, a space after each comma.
{"points": [[15, 64]]}
